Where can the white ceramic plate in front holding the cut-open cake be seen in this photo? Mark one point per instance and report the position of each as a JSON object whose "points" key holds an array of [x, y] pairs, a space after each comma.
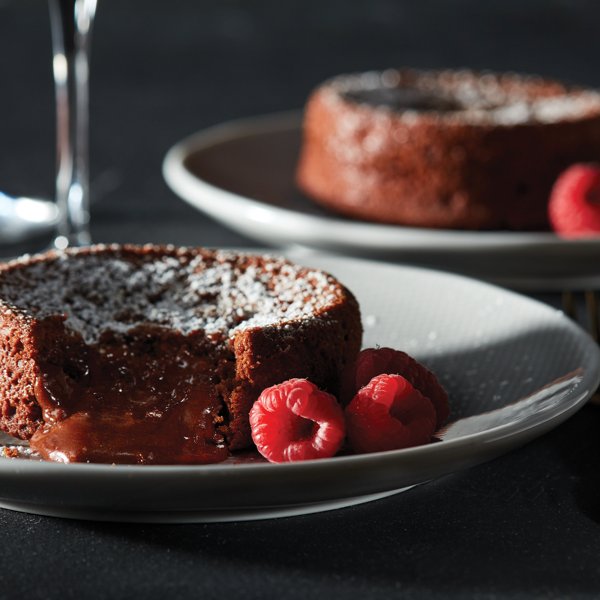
{"points": [[514, 369]]}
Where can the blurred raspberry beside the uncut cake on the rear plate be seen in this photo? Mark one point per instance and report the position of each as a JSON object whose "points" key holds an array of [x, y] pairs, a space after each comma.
{"points": [[574, 206]]}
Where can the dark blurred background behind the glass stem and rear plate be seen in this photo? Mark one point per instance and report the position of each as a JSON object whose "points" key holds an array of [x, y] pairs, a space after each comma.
{"points": [[163, 70]]}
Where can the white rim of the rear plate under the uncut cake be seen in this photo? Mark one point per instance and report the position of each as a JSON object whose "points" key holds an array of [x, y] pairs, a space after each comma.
{"points": [[219, 203]]}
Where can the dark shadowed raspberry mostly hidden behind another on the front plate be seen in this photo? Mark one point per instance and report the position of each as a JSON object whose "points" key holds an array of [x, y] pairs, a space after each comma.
{"points": [[377, 361]]}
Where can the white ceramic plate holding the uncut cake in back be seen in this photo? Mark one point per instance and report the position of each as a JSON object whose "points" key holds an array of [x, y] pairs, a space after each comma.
{"points": [[242, 174]]}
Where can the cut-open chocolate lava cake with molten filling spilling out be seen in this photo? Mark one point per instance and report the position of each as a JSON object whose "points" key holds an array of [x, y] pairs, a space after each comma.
{"points": [[154, 354]]}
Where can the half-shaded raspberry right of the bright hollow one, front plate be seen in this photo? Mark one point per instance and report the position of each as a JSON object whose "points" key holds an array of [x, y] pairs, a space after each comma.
{"points": [[388, 414]]}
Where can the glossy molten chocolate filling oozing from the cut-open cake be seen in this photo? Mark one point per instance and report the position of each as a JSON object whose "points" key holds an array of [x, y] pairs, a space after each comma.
{"points": [[146, 400]]}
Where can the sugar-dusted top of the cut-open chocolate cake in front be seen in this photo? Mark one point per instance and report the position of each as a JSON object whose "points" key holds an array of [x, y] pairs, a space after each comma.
{"points": [[117, 288]]}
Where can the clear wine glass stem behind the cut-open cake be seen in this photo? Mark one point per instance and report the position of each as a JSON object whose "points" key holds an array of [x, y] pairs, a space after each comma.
{"points": [[71, 25]]}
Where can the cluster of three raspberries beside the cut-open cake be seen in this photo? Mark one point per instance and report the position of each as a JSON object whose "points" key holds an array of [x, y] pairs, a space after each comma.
{"points": [[395, 403]]}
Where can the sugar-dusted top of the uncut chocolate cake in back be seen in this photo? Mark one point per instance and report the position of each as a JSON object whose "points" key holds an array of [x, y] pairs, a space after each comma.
{"points": [[464, 96]]}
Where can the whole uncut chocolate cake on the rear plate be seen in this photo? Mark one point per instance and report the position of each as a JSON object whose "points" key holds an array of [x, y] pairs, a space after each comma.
{"points": [[444, 149]]}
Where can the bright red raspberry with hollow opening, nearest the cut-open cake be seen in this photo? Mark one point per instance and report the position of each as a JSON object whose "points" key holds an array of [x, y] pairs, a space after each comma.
{"points": [[295, 420]]}
